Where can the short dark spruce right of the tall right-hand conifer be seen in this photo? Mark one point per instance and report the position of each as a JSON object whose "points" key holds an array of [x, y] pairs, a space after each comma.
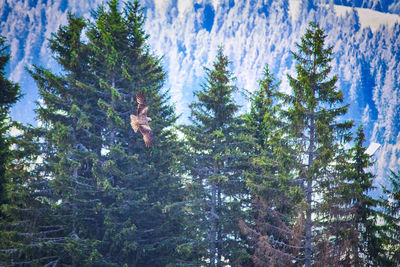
{"points": [[357, 237]]}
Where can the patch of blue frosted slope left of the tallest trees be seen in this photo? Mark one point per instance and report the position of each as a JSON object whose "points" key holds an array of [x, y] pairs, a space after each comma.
{"points": [[28, 24]]}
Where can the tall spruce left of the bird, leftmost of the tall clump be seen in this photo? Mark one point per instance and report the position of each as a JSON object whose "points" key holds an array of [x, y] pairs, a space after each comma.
{"points": [[71, 146]]}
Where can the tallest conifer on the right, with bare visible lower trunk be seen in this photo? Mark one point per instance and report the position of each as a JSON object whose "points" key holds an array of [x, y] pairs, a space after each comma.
{"points": [[312, 116]]}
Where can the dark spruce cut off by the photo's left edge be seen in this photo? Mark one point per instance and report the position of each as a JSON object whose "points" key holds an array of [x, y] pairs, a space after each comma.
{"points": [[24, 228]]}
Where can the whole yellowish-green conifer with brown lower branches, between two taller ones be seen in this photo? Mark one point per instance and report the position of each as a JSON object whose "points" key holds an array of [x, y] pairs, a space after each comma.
{"points": [[276, 242]]}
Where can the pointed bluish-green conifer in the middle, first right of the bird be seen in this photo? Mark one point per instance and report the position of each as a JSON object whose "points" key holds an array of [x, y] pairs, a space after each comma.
{"points": [[217, 145]]}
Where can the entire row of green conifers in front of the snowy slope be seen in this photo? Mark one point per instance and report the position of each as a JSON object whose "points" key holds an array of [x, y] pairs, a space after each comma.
{"points": [[287, 184]]}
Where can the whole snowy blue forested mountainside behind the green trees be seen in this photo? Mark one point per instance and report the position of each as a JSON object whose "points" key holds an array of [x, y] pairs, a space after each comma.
{"points": [[253, 33]]}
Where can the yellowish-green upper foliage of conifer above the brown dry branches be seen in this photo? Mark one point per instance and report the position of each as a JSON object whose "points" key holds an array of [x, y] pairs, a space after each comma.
{"points": [[272, 153]]}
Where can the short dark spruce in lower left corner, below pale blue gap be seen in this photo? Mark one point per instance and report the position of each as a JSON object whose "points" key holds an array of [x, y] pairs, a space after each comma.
{"points": [[28, 233]]}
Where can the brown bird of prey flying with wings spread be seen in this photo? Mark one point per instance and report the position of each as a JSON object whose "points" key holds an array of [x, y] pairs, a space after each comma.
{"points": [[141, 121]]}
